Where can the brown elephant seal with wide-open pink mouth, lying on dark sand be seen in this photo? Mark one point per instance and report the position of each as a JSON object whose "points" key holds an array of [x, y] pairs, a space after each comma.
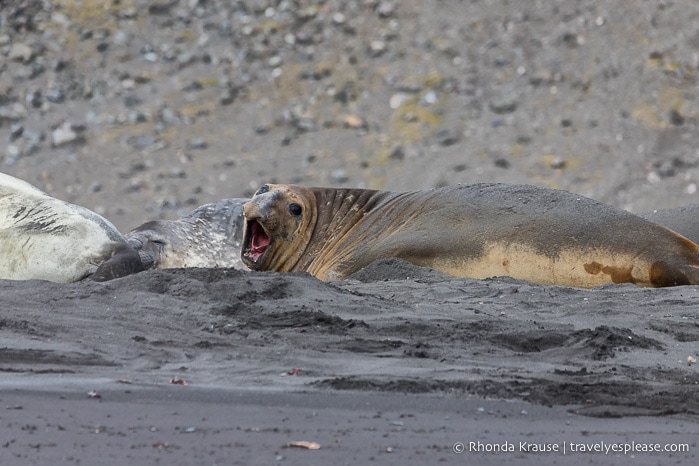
{"points": [[483, 230]]}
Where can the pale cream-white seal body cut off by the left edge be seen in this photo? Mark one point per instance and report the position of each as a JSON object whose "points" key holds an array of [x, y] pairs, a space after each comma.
{"points": [[48, 239]]}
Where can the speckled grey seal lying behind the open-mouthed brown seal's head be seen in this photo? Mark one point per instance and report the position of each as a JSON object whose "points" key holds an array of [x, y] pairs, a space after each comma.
{"points": [[209, 236]]}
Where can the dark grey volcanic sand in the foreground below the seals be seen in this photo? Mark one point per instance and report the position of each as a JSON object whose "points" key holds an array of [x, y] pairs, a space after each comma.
{"points": [[394, 365]]}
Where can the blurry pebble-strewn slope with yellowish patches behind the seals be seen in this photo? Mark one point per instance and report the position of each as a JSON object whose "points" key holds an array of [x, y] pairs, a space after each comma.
{"points": [[146, 109]]}
